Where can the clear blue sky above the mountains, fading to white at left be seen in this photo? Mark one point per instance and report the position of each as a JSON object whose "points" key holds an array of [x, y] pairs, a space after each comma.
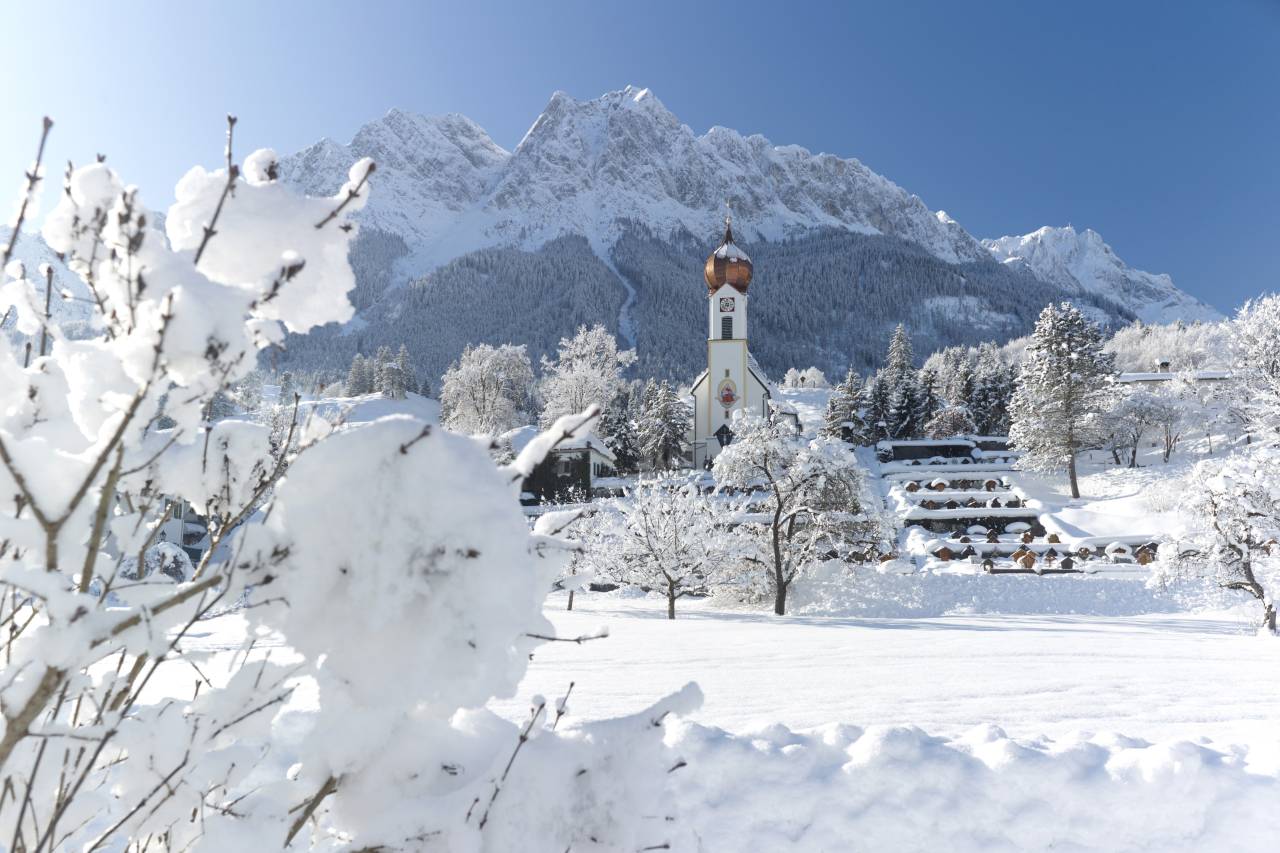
{"points": [[1155, 124]]}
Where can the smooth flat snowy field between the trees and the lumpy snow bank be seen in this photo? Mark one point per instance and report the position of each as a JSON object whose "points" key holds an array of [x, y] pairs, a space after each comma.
{"points": [[1158, 677]]}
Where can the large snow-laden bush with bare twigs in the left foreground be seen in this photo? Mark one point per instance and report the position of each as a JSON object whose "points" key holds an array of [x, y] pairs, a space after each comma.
{"points": [[391, 558]]}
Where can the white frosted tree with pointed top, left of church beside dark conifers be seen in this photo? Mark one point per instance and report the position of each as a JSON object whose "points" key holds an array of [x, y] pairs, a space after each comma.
{"points": [[587, 372]]}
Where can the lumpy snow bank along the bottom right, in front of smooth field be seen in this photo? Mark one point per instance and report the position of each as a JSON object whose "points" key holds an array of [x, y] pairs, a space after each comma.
{"points": [[897, 788]]}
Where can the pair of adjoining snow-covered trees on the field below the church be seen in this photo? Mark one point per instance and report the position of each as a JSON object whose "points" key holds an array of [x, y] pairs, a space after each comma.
{"points": [[781, 504]]}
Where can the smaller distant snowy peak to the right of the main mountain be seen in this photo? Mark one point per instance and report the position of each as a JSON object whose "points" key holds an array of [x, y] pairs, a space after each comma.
{"points": [[1081, 261]]}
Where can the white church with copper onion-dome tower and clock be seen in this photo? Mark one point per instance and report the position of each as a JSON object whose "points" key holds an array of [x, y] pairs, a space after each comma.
{"points": [[733, 381]]}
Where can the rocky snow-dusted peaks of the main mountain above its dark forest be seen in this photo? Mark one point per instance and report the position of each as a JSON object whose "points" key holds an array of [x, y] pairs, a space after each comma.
{"points": [[591, 167]]}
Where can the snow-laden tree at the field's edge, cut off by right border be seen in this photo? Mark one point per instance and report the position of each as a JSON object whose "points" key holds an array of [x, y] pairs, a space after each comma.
{"points": [[1232, 509]]}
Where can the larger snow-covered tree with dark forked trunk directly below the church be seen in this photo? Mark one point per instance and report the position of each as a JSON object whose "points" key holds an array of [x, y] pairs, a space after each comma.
{"points": [[799, 501]]}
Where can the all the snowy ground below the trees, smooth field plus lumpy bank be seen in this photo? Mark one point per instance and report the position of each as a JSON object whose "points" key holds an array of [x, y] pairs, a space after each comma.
{"points": [[957, 733]]}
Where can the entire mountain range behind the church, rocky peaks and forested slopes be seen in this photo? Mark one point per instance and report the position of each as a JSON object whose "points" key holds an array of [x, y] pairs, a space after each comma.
{"points": [[606, 212]]}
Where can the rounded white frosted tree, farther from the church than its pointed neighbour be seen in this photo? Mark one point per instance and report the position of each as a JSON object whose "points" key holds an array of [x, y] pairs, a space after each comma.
{"points": [[487, 391]]}
